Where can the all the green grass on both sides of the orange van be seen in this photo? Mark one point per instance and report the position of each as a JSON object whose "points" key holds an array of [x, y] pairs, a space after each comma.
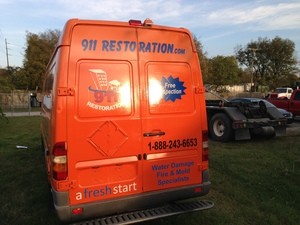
{"points": [[253, 182]]}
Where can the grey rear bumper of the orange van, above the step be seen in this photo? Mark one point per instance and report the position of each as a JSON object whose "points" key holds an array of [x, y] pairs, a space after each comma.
{"points": [[126, 204]]}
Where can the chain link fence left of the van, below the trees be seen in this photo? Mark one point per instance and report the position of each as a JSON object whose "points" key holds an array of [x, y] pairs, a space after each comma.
{"points": [[20, 103]]}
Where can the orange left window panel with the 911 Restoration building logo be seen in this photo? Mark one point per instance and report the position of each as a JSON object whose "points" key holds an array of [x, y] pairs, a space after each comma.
{"points": [[104, 88]]}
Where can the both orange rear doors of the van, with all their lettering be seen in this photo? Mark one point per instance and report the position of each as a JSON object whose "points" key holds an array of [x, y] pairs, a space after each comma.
{"points": [[134, 120]]}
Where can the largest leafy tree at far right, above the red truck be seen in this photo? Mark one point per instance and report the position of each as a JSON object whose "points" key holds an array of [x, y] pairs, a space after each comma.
{"points": [[272, 62]]}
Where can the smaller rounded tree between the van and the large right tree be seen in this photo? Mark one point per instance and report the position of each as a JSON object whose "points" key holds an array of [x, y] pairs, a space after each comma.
{"points": [[223, 70]]}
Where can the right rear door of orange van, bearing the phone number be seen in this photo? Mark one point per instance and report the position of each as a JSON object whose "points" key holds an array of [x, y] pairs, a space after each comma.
{"points": [[171, 117]]}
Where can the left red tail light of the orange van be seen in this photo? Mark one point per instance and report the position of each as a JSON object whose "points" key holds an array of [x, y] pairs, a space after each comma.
{"points": [[59, 161]]}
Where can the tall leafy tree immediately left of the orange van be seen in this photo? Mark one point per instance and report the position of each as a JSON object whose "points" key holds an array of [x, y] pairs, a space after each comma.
{"points": [[37, 55]]}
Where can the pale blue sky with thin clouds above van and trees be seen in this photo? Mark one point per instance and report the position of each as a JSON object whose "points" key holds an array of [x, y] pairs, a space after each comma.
{"points": [[220, 25]]}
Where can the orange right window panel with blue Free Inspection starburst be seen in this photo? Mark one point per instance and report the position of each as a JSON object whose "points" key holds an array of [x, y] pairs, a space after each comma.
{"points": [[170, 88]]}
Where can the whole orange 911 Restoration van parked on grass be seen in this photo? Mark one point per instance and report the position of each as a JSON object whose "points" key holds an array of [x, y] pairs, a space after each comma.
{"points": [[124, 120]]}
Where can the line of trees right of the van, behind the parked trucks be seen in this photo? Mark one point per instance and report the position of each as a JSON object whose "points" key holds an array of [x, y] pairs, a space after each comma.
{"points": [[265, 62]]}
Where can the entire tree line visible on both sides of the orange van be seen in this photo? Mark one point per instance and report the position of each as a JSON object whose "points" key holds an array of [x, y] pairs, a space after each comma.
{"points": [[265, 62]]}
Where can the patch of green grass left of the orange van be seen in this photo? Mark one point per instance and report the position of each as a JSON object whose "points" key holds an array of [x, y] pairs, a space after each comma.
{"points": [[24, 197]]}
